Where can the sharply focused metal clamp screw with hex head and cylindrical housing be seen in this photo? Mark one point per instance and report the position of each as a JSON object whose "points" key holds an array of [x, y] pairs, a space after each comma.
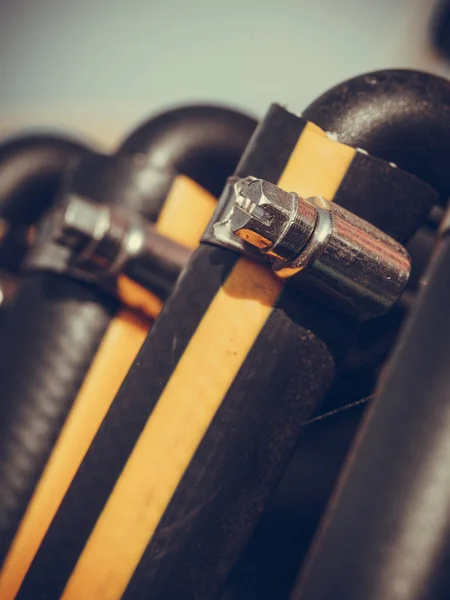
{"points": [[320, 247]]}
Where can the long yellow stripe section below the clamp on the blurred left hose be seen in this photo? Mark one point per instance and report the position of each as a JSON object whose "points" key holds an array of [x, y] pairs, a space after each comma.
{"points": [[106, 374]]}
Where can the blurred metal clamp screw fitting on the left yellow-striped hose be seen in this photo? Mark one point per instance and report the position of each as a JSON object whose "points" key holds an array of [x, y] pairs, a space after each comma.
{"points": [[113, 248]]}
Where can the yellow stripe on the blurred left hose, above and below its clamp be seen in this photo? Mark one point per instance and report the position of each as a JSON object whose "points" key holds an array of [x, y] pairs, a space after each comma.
{"points": [[183, 219]]}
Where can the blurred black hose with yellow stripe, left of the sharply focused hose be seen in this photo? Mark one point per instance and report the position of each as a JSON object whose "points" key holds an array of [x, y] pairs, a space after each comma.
{"points": [[92, 358]]}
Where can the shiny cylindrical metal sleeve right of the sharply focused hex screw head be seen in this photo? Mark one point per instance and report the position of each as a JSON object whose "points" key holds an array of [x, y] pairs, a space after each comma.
{"points": [[359, 268]]}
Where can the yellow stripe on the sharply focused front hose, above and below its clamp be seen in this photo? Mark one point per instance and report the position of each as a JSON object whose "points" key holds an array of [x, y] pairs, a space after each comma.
{"points": [[193, 394]]}
